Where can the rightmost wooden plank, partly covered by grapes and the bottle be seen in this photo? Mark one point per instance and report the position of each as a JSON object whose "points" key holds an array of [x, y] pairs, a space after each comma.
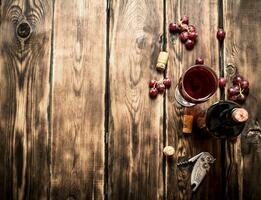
{"points": [[242, 50]]}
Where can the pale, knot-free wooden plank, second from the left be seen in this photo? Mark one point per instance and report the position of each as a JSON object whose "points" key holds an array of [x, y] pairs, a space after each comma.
{"points": [[78, 100]]}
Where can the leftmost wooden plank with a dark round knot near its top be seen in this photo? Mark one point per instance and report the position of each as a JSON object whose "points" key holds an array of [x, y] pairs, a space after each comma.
{"points": [[25, 29]]}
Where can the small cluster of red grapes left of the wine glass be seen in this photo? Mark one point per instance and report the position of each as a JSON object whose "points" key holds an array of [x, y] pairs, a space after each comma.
{"points": [[157, 87]]}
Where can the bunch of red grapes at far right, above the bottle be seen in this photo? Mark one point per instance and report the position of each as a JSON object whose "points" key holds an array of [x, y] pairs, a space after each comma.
{"points": [[239, 91]]}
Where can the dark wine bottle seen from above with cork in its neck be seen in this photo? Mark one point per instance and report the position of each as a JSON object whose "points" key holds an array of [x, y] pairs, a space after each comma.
{"points": [[226, 119]]}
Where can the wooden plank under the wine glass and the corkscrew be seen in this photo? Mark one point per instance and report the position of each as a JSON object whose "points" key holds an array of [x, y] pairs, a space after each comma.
{"points": [[204, 15]]}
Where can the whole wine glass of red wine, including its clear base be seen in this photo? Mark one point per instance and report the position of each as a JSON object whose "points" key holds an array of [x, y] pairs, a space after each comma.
{"points": [[196, 85]]}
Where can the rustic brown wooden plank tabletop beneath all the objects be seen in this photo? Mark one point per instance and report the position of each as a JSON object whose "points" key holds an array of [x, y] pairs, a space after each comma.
{"points": [[76, 121]]}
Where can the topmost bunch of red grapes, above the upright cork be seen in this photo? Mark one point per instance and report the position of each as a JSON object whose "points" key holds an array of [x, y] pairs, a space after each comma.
{"points": [[187, 33]]}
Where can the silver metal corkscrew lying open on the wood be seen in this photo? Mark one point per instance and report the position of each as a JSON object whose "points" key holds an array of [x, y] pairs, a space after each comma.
{"points": [[200, 168]]}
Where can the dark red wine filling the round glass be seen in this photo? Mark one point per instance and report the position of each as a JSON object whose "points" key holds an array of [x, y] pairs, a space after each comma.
{"points": [[199, 82]]}
